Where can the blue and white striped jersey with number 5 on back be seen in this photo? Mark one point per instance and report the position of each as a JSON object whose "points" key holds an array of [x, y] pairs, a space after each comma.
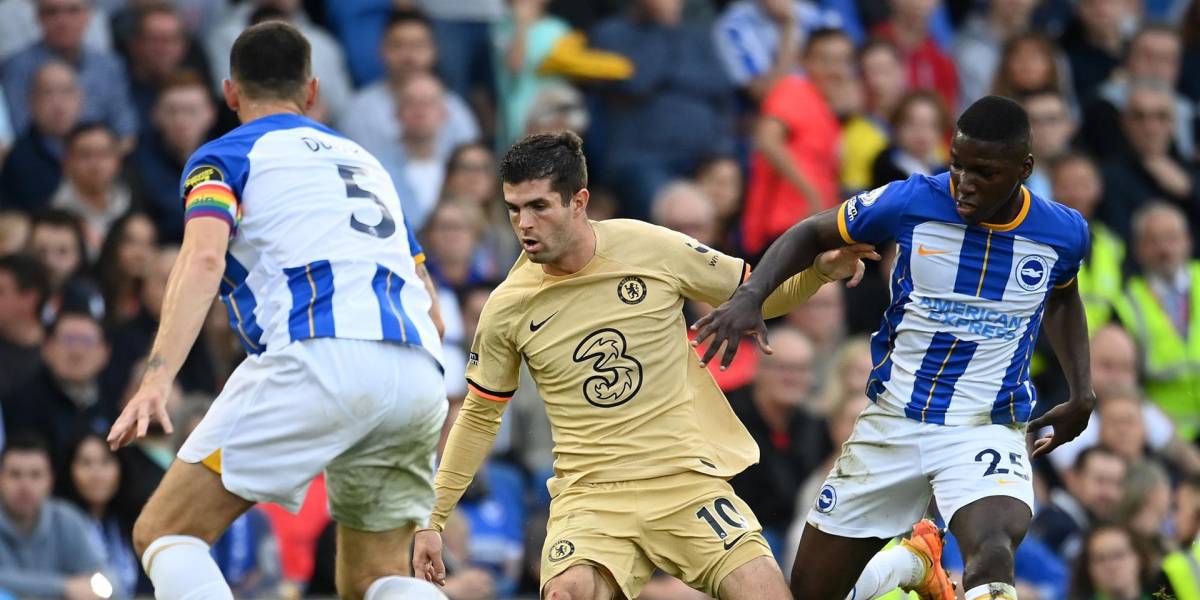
{"points": [[320, 247]]}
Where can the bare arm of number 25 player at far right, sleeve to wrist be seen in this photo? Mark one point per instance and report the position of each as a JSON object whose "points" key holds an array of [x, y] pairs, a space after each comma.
{"points": [[1066, 328]]}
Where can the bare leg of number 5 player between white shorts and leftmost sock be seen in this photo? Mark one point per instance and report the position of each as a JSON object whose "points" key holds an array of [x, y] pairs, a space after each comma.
{"points": [[190, 501]]}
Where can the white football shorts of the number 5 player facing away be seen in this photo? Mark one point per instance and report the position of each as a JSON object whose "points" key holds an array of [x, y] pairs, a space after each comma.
{"points": [[367, 413]]}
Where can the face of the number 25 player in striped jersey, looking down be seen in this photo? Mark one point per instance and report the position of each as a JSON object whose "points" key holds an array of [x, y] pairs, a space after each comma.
{"points": [[986, 176]]}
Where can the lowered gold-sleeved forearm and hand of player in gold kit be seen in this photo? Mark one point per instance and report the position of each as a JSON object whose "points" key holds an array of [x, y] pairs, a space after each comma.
{"points": [[471, 439]]}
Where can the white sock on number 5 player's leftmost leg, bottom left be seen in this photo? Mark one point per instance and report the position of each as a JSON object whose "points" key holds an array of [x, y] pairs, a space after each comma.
{"points": [[182, 569]]}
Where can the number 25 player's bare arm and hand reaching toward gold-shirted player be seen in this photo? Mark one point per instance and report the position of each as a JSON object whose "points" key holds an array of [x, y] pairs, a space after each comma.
{"points": [[742, 315]]}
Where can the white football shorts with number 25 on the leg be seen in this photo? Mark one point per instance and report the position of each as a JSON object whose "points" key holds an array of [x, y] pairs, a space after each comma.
{"points": [[891, 466]]}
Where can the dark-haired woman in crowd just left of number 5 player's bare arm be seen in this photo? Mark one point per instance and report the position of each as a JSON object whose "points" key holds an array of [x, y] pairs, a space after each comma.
{"points": [[124, 260]]}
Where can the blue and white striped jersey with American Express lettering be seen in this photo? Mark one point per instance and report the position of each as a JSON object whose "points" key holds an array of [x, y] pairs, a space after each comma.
{"points": [[956, 343]]}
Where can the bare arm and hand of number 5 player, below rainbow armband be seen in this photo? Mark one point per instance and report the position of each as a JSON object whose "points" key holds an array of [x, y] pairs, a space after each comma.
{"points": [[191, 289]]}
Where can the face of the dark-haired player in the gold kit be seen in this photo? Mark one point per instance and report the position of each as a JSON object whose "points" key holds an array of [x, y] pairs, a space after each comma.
{"points": [[543, 224]]}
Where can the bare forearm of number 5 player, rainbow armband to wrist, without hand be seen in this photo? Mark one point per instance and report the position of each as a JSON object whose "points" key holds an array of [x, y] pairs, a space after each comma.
{"points": [[191, 290]]}
